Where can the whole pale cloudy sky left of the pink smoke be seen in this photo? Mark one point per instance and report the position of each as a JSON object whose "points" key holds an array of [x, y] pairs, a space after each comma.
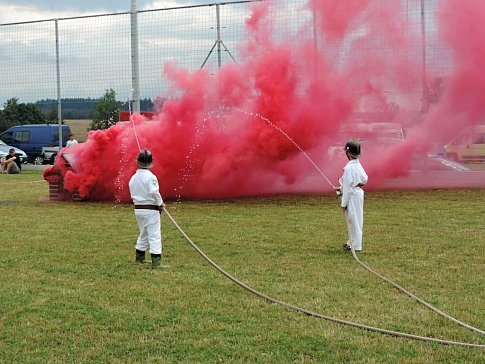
{"points": [[185, 36]]}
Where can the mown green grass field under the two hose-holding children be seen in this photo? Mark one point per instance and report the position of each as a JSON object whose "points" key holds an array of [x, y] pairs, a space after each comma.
{"points": [[70, 292]]}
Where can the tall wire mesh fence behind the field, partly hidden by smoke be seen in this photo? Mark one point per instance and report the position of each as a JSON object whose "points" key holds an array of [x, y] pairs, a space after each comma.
{"points": [[78, 59]]}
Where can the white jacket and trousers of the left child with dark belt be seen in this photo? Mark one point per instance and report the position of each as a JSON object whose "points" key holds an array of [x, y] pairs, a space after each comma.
{"points": [[144, 190]]}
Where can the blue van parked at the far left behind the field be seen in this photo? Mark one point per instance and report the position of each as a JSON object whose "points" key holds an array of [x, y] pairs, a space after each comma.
{"points": [[32, 138]]}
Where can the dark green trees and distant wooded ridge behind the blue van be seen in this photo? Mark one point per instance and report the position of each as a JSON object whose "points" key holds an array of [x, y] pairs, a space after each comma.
{"points": [[102, 111]]}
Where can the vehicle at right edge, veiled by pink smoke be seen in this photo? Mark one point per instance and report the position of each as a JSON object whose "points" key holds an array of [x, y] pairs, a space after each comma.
{"points": [[468, 146]]}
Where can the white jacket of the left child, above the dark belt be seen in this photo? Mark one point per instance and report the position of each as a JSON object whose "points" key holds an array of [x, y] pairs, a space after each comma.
{"points": [[144, 188]]}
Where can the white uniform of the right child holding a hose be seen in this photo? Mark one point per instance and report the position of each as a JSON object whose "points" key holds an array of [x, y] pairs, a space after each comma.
{"points": [[353, 178]]}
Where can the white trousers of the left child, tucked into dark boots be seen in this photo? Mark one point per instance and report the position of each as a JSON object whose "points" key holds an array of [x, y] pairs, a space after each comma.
{"points": [[150, 234]]}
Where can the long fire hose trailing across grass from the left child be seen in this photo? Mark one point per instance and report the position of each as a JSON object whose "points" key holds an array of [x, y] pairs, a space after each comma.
{"points": [[312, 313]]}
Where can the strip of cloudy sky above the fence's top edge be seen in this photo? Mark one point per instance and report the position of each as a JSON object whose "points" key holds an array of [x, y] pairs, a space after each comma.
{"points": [[26, 10]]}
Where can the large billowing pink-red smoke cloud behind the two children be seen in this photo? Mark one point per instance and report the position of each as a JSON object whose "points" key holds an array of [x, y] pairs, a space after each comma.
{"points": [[253, 128]]}
